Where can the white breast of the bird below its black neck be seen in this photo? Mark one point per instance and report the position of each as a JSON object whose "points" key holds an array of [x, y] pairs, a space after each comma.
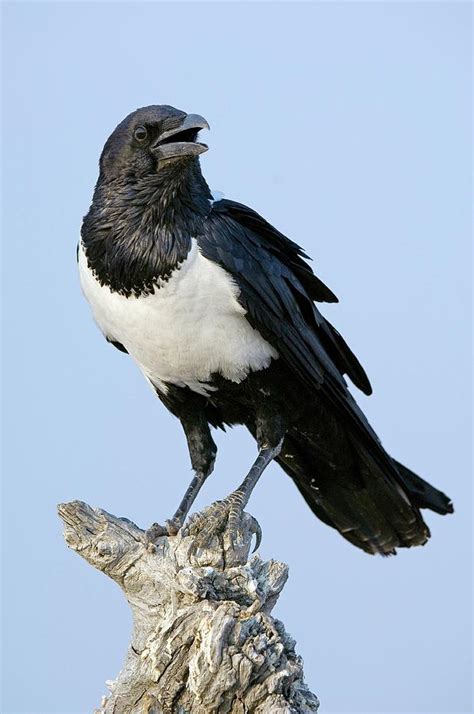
{"points": [[191, 327]]}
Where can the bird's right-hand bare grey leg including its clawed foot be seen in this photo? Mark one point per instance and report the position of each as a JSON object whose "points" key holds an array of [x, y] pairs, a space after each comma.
{"points": [[229, 511]]}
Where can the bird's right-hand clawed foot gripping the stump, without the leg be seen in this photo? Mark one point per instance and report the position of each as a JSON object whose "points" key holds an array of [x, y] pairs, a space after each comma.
{"points": [[222, 518]]}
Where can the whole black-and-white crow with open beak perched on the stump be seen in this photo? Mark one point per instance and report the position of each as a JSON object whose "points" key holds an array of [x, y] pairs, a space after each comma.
{"points": [[218, 309]]}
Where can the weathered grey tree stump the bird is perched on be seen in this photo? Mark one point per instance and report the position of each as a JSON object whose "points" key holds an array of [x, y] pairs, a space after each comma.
{"points": [[203, 638]]}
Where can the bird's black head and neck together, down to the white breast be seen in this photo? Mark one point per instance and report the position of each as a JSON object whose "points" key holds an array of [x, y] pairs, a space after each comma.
{"points": [[151, 197]]}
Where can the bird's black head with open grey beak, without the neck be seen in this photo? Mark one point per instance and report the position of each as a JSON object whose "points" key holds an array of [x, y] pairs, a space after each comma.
{"points": [[149, 139]]}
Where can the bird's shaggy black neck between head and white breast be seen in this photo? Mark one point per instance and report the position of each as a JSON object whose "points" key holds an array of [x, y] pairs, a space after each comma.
{"points": [[137, 232]]}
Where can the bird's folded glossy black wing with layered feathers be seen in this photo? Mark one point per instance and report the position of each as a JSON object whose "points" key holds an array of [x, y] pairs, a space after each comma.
{"points": [[277, 289]]}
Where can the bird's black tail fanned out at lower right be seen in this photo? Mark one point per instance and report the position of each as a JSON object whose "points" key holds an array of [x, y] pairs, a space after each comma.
{"points": [[349, 491]]}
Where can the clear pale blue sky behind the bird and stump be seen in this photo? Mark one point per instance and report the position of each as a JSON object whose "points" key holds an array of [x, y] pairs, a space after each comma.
{"points": [[347, 126]]}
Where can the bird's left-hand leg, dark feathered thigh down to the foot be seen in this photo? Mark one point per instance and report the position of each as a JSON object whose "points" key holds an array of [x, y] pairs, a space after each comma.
{"points": [[202, 451]]}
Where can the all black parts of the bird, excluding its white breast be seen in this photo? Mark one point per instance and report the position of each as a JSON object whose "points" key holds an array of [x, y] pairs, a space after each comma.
{"points": [[151, 202]]}
